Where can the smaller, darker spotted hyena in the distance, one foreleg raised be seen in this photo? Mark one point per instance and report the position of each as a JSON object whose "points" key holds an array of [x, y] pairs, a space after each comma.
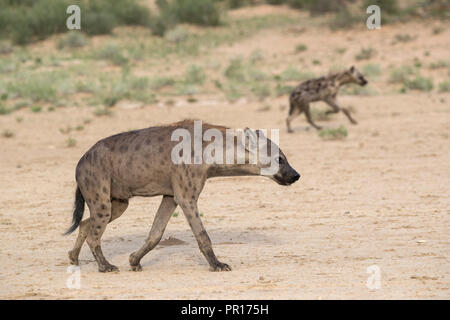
{"points": [[322, 89]]}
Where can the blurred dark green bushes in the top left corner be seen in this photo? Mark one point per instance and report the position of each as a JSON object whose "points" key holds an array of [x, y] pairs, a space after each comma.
{"points": [[26, 20]]}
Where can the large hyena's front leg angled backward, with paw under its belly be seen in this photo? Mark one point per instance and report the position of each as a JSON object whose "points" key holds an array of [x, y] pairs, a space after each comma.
{"points": [[162, 217]]}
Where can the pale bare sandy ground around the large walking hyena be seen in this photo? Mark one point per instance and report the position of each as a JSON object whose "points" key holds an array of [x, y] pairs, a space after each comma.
{"points": [[380, 197]]}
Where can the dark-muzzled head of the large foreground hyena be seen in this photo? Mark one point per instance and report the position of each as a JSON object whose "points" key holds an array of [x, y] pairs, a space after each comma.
{"points": [[270, 159]]}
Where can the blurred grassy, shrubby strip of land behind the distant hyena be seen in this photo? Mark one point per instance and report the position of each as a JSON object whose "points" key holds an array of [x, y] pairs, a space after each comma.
{"points": [[149, 52]]}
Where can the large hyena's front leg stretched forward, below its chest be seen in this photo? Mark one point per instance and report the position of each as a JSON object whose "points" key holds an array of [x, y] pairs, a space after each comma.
{"points": [[204, 242]]}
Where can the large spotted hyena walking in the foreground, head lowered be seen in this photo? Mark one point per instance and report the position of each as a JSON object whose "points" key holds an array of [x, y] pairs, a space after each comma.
{"points": [[139, 163]]}
